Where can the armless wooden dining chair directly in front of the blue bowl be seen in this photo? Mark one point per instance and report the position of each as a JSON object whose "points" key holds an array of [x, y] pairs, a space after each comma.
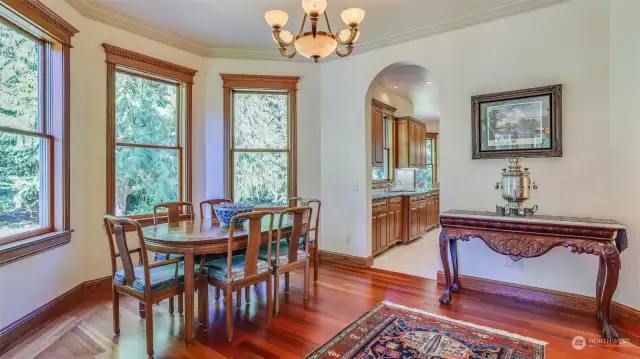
{"points": [[238, 271]]}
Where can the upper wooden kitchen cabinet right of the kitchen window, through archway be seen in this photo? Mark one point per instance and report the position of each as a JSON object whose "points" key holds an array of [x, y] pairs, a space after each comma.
{"points": [[411, 150]]}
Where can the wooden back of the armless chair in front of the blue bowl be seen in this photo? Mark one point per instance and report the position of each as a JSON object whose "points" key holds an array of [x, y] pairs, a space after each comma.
{"points": [[254, 239]]}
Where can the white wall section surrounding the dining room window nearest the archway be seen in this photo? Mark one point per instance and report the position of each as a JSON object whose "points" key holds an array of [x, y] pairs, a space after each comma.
{"points": [[308, 120]]}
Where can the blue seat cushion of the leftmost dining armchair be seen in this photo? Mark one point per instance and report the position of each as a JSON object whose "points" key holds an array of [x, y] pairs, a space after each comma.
{"points": [[161, 278]]}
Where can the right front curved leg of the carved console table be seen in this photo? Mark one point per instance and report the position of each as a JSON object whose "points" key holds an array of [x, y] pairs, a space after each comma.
{"points": [[612, 260]]}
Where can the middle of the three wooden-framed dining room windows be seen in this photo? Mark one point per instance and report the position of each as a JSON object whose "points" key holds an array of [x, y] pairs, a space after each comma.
{"points": [[149, 132]]}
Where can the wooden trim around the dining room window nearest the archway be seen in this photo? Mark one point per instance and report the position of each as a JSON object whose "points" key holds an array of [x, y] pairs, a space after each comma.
{"points": [[288, 84]]}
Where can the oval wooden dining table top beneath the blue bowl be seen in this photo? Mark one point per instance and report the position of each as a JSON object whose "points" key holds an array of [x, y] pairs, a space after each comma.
{"points": [[206, 231]]}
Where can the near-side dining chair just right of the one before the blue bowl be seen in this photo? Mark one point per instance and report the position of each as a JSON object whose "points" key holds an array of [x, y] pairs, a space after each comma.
{"points": [[288, 255]]}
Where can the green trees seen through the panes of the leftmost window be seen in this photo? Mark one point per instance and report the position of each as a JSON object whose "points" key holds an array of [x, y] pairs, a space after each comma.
{"points": [[25, 140]]}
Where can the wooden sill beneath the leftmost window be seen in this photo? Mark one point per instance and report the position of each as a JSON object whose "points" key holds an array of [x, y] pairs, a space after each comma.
{"points": [[18, 250]]}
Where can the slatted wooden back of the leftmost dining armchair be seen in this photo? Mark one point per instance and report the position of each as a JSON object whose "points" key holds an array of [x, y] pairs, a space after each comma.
{"points": [[116, 227]]}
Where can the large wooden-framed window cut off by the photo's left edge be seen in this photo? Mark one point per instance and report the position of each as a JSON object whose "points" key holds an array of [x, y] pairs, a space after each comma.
{"points": [[34, 117]]}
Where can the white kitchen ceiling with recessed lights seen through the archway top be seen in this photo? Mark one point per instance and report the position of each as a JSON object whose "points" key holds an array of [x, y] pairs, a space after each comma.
{"points": [[414, 83]]}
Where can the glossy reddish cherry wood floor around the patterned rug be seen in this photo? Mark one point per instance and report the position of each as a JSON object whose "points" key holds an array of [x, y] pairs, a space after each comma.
{"points": [[340, 296]]}
